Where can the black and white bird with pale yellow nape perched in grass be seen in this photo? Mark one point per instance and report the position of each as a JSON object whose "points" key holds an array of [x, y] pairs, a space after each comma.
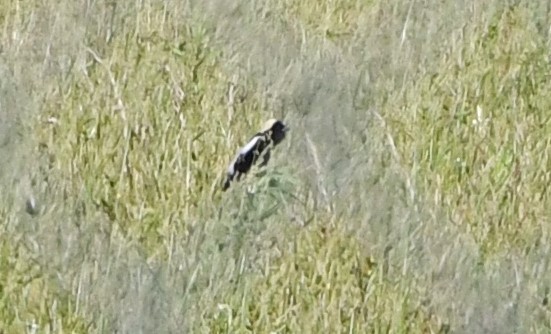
{"points": [[272, 133]]}
